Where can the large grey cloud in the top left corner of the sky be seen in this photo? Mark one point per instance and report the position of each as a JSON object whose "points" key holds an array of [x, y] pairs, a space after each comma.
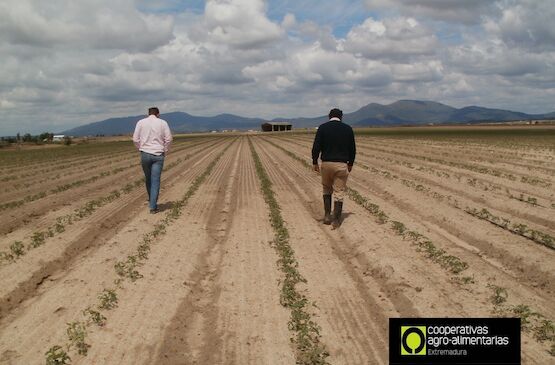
{"points": [[102, 24]]}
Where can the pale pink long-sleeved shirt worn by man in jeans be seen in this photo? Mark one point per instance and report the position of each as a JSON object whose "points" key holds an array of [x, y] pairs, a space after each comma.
{"points": [[152, 135]]}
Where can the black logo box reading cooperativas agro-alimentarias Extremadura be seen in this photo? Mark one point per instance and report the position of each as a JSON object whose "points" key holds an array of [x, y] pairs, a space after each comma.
{"points": [[476, 355]]}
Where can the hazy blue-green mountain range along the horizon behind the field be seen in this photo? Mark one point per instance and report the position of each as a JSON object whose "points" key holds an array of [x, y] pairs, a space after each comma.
{"points": [[402, 112]]}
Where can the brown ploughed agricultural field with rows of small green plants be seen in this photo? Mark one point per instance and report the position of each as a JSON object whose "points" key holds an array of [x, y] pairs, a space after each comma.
{"points": [[238, 268]]}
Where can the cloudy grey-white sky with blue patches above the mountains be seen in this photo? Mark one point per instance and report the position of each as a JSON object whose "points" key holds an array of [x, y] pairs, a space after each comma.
{"points": [[67, 63]]}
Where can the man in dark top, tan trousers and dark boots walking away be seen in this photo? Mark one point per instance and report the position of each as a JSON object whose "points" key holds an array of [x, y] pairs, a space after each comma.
{"points": [[335, 141]]}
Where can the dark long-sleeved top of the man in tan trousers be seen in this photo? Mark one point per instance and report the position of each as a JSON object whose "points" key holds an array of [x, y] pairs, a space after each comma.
{"points": [[336, 141]]}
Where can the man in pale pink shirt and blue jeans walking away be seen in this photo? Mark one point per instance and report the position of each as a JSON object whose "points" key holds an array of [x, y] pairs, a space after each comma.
{"points": [[152, 137]]}
